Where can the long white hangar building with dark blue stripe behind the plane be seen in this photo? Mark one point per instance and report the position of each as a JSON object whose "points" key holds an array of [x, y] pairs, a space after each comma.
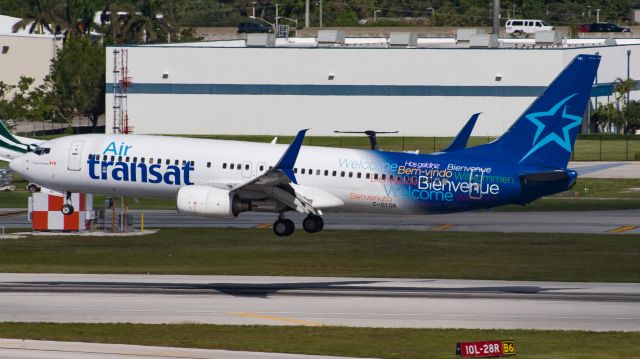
{"points": [[226, 87]]}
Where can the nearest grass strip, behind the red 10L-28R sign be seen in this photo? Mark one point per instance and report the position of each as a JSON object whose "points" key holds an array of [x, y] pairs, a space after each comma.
{"points": [[343, 341]]}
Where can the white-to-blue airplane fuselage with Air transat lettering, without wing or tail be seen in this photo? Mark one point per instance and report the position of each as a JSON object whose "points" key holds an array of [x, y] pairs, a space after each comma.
{"points": [[365, 180]]}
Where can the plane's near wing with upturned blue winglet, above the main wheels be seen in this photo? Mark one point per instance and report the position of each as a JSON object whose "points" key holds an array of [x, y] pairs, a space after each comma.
{"points": [[279, 183]]}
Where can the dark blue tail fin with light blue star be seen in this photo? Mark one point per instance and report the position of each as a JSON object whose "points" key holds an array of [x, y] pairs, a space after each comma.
{"points": [[545, 133]]}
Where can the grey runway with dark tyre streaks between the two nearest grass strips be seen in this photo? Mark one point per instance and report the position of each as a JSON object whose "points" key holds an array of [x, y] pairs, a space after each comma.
{"points": [[359, 302]]}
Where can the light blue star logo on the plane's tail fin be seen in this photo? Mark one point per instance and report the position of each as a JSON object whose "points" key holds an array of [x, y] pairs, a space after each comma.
{"points": [[545, 132]]}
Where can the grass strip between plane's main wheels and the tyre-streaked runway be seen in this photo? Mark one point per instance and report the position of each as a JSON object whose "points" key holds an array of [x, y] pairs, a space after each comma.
{"points": [[411, 254]]}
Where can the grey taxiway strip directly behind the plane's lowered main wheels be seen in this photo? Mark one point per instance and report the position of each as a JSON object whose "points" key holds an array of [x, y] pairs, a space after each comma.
{"points": [[627, 221]]}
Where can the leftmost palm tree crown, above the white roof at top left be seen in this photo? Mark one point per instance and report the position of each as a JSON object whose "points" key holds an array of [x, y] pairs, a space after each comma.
{"points": [[43, 14]]}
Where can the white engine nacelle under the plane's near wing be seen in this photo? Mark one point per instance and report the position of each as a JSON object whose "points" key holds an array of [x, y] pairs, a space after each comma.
{"points": [[210, 202]]}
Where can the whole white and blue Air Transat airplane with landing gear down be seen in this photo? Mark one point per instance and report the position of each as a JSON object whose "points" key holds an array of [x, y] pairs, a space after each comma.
{"points": [[216, 178]]}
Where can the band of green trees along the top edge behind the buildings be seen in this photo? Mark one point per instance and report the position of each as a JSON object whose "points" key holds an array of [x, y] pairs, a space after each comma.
{"points": [[196, 13]]}
